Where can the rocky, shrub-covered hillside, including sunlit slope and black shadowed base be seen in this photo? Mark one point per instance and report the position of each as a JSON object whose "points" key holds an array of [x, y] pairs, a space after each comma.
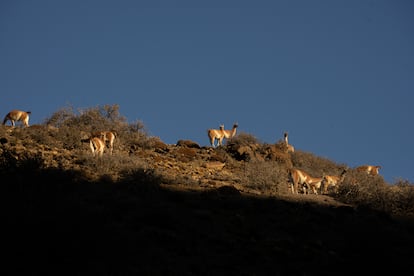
{"points": [[158, 209]]}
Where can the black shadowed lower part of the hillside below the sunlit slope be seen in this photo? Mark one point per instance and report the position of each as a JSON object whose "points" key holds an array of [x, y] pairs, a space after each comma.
{"points": [[56, 224]]}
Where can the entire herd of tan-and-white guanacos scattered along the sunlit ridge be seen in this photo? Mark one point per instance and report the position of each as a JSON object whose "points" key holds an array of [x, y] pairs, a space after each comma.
{"points": [[99, 140]]}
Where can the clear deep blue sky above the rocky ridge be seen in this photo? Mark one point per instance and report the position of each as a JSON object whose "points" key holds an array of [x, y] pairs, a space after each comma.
{"points": [[337, 75]]}
